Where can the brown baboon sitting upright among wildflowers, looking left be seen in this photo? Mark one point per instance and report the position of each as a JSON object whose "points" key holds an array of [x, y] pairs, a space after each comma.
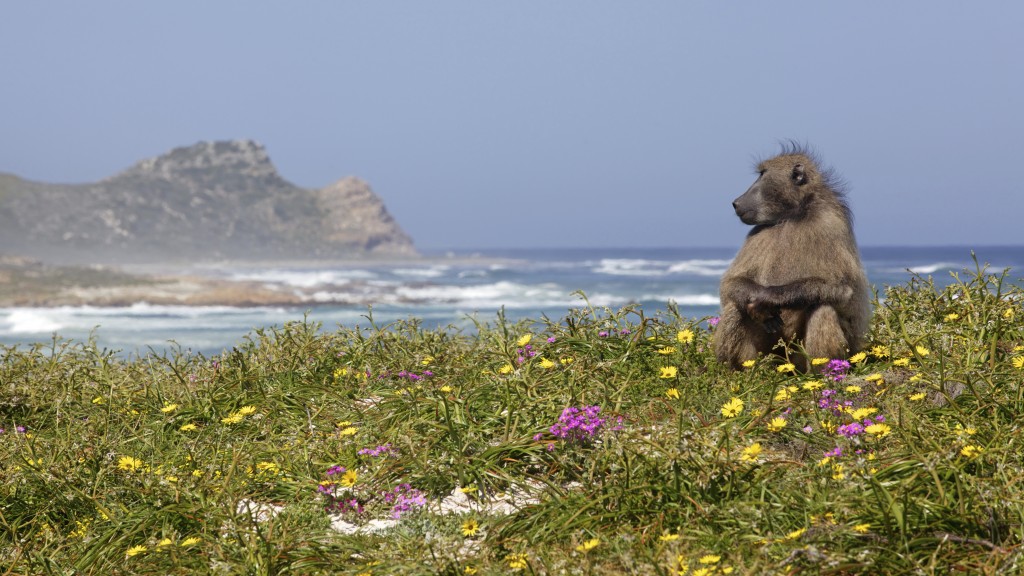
{"points": [[798, 277]]}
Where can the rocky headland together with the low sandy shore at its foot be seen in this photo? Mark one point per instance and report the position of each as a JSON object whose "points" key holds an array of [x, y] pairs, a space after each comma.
{"points": [[143, 234]]}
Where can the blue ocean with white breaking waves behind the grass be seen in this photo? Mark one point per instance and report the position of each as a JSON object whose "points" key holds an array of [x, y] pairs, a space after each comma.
{"points": [[449, 290]]}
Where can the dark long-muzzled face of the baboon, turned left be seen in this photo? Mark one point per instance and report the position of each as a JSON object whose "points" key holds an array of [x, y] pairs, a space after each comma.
{"points": [[778, 193]]}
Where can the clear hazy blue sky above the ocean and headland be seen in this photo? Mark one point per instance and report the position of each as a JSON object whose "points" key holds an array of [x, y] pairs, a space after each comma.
{"points": [[577, 124]]}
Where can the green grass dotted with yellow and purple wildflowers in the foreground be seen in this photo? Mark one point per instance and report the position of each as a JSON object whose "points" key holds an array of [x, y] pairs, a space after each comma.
{"points": [[666, 485]]}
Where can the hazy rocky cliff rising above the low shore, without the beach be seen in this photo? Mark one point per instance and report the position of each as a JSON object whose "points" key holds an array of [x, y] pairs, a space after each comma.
{"points": [[210, 201]]}
